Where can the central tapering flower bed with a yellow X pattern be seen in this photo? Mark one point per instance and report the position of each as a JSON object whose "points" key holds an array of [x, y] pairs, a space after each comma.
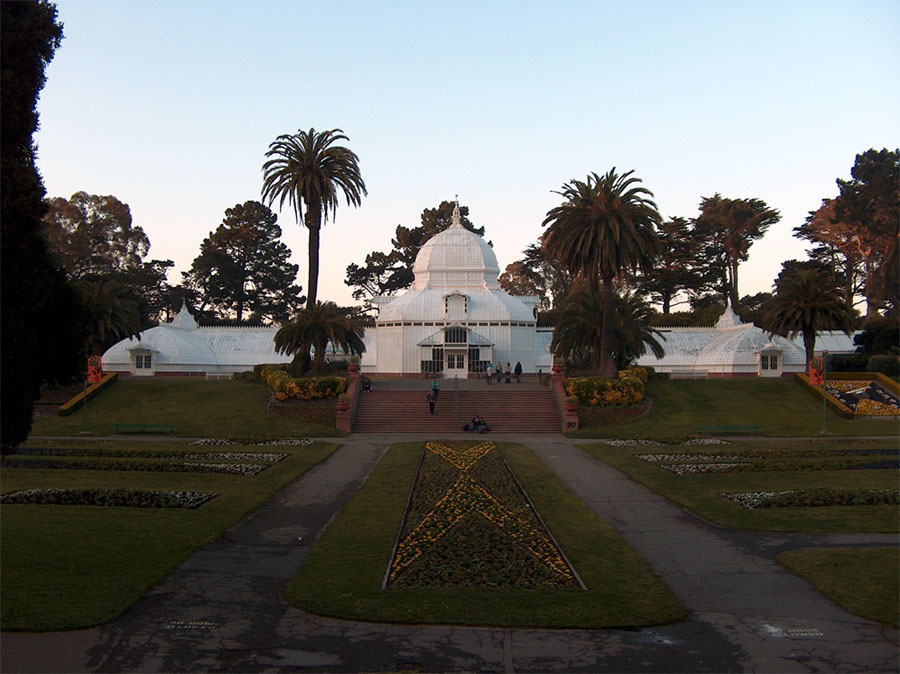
{"points": [[469, 524]]}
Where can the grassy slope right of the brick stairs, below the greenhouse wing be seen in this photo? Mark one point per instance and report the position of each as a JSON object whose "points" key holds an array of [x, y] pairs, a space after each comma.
{"points": [[782, 407]]}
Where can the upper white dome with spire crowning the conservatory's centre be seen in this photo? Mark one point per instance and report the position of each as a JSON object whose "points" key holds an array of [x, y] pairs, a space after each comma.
{"points": [[456, 258]]}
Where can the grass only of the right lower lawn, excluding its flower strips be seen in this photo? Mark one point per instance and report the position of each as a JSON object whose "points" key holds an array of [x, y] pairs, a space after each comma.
{"points": [[700, 493]]}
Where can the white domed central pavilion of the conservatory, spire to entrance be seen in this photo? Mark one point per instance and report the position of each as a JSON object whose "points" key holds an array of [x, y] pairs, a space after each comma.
{"points": [[455, 318]]}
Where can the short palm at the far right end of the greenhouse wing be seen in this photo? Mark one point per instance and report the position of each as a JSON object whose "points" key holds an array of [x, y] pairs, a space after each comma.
{"points": [[805, 302]]}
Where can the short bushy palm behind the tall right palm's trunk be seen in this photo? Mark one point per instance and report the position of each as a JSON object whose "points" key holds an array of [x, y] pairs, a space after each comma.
{"points": [[577, 336]]}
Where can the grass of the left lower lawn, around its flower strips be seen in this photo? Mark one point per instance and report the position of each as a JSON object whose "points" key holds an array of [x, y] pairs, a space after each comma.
{"points": [[68, 567]]}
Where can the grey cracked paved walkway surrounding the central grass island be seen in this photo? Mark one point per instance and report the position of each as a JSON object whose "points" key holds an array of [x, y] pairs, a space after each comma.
{"points": [[222, 610]]}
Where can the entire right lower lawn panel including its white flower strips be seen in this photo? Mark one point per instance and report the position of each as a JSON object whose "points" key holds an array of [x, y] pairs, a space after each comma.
{"points": [[804, 485]]}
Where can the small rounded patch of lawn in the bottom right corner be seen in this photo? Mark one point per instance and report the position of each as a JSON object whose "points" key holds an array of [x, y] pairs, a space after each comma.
{"points": [[863, 581]]}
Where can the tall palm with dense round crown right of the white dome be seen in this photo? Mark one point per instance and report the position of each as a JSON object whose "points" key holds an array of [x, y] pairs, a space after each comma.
{"points": [[605, 226]]}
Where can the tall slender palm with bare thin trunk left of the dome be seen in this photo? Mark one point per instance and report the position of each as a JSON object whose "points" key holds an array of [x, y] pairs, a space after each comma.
{"points": [[307, 170]]}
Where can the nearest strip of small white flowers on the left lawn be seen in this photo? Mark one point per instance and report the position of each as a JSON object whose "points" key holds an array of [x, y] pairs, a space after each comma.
{"points": [[109, 497]]}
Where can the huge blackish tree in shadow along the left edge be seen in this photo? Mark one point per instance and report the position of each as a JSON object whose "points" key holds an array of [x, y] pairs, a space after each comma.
{"points": [[40, 327]]}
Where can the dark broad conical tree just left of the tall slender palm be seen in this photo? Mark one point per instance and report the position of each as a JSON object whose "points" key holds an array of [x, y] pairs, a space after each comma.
{"points": [[243, 267]]}
